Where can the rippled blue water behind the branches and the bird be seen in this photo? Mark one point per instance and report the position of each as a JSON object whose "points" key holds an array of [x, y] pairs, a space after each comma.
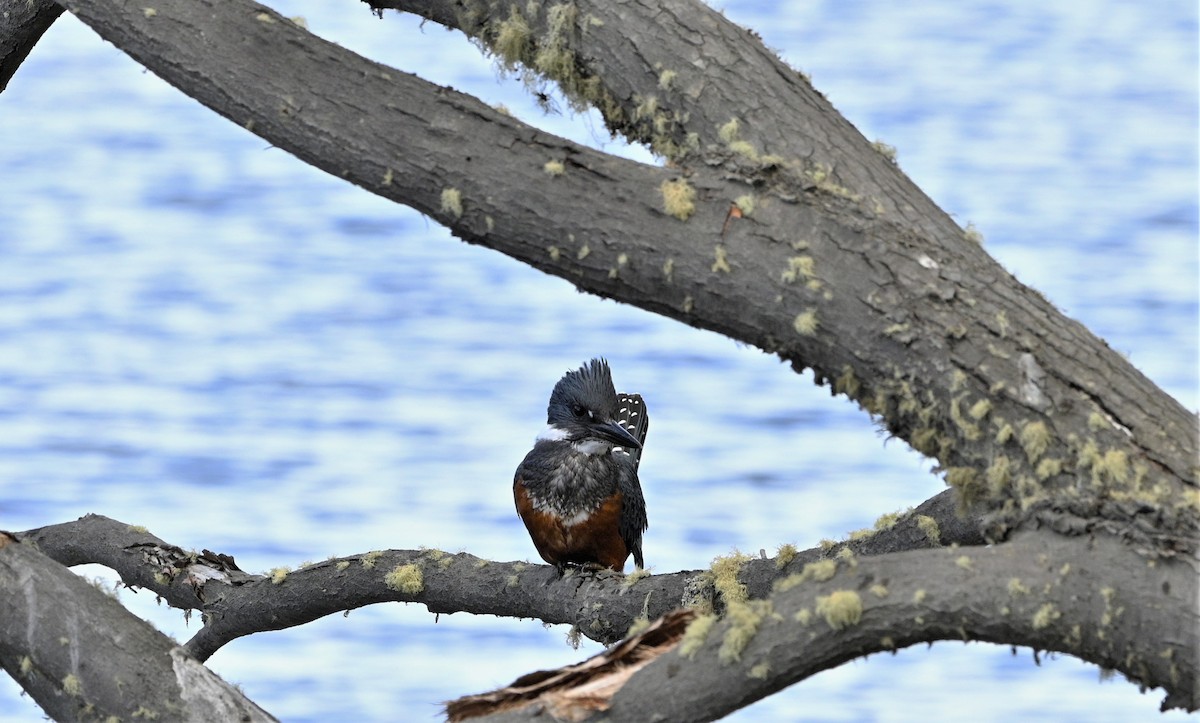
{"points": [[206, 337]]}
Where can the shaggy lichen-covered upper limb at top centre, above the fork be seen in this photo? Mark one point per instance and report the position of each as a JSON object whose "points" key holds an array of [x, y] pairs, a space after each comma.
{"points": [[674, 74]]}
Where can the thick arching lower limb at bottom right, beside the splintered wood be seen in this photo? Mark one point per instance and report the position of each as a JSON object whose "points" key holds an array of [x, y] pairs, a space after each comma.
{"points": [[1036, 590]]}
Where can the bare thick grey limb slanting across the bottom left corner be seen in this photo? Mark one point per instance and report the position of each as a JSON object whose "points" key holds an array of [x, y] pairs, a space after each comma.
{"points": [[81, 655]]}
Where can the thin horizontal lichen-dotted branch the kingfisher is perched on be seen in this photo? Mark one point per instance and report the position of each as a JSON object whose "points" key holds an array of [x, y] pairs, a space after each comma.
{"points": [[235, 604]]}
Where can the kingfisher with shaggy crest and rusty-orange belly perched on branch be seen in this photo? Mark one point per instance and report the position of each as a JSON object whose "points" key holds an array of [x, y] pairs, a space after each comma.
{"points": [[578, 491]]}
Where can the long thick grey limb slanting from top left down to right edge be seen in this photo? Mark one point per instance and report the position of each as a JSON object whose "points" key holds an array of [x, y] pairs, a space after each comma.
{"points": [[1035, 420]]}
